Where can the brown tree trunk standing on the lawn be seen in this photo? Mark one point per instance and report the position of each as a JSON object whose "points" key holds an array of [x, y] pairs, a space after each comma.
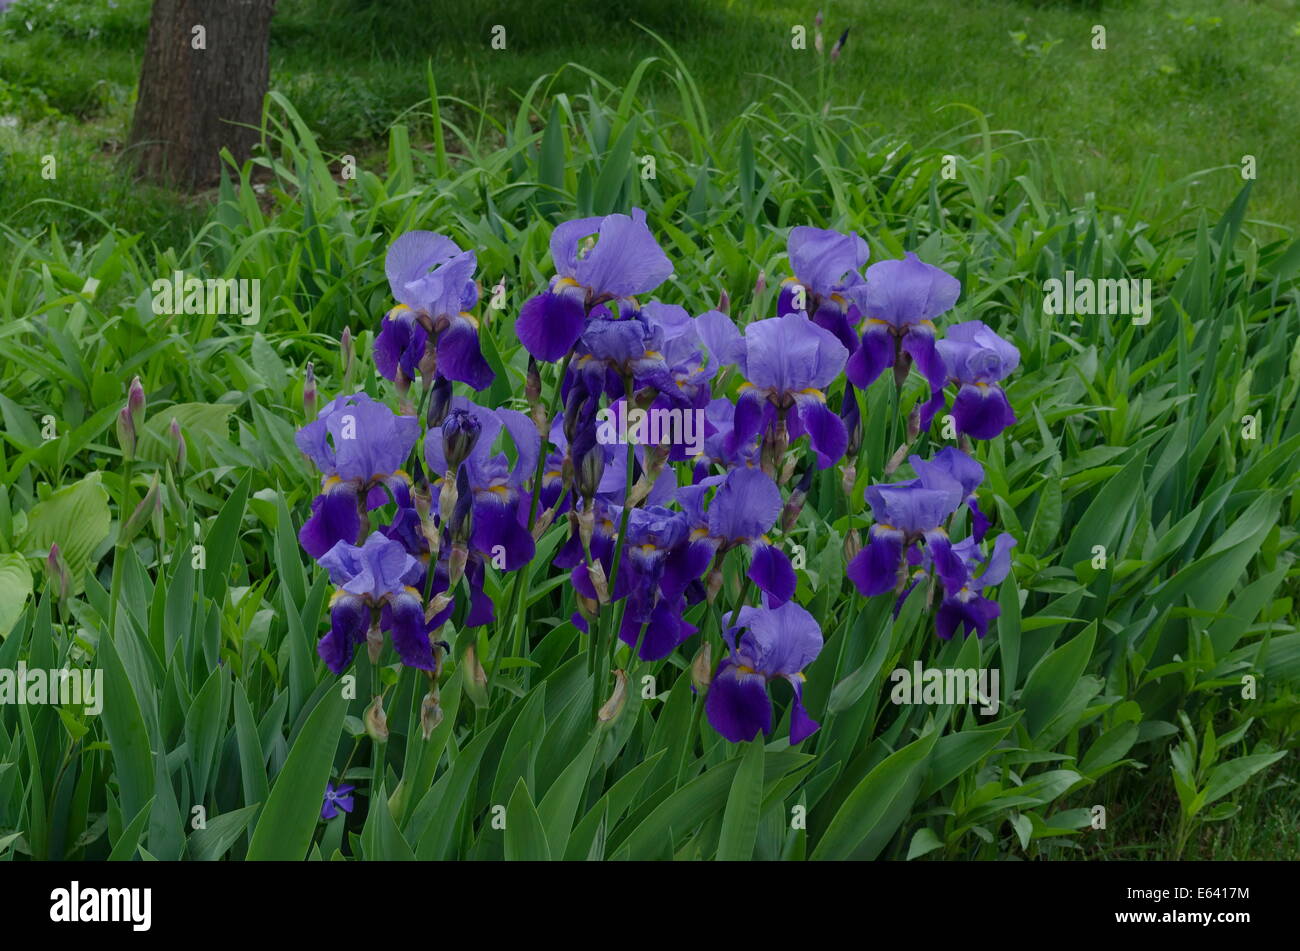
{"points": [[206, 73]]}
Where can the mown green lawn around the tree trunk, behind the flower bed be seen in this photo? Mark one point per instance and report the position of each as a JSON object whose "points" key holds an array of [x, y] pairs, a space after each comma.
{"points": [[1180, 90]]}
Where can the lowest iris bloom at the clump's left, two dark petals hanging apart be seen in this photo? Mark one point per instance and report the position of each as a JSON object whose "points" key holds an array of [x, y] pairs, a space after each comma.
{"points": [[376, 576]]}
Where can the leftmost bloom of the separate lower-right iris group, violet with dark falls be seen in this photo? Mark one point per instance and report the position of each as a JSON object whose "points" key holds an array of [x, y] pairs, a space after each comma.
{"points": [[907, 514]]}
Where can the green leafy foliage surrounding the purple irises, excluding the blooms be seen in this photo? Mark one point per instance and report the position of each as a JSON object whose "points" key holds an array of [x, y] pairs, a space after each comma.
{"points": [[1129, 437]]}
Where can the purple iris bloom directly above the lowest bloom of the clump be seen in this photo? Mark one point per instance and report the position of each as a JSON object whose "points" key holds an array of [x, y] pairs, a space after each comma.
{"points": [[743, 511]]}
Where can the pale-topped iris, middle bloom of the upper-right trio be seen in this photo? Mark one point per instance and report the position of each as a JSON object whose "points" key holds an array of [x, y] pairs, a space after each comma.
{"points": [[902, 302]]}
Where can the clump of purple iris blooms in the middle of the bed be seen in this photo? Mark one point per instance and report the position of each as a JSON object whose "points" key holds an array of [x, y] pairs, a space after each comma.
{"points": [[418, 506]]}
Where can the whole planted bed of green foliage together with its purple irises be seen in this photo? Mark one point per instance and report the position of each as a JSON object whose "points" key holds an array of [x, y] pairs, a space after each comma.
{"points": [[365, 574]]}
